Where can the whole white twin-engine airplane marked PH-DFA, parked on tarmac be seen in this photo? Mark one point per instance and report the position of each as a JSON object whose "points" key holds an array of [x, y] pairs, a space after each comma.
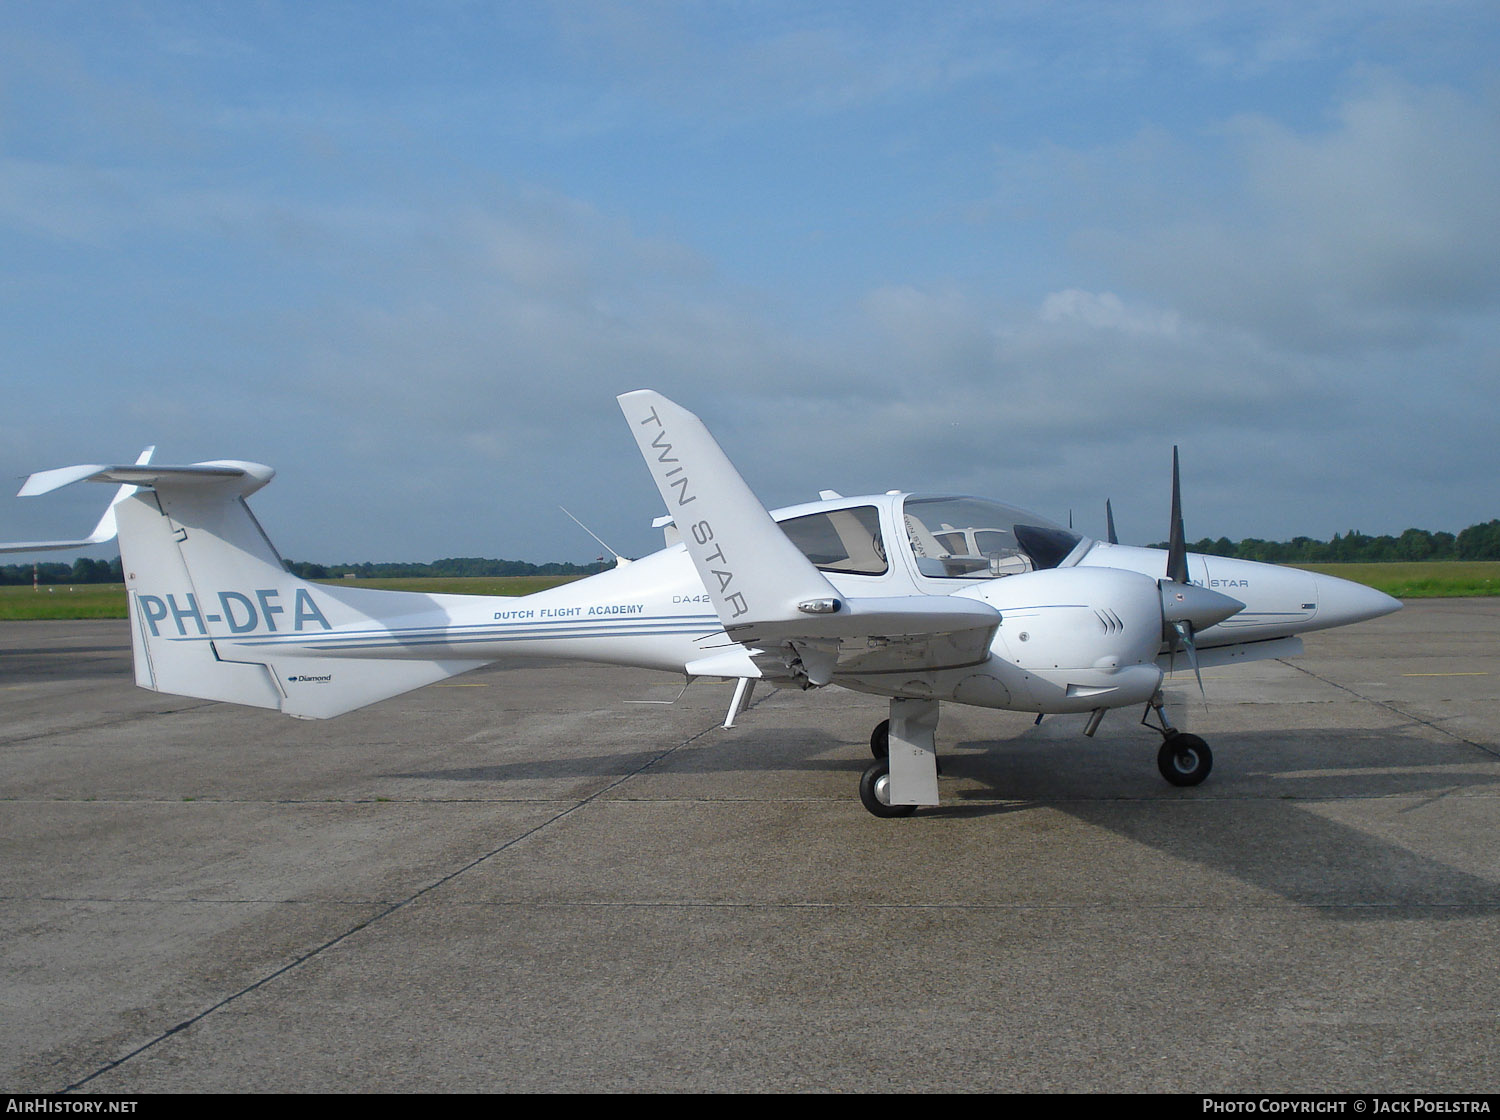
{"points": [[910, 597]]}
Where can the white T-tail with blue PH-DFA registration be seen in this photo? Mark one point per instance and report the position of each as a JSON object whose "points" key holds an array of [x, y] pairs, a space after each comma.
{"points": [[217, 615]]}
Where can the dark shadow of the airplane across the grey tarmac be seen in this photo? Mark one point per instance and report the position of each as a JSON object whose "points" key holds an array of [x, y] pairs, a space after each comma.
{"points": [[1265, 819]]}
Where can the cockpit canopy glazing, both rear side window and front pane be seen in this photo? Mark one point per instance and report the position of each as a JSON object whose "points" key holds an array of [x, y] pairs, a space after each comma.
{"points": [[949, 539]]}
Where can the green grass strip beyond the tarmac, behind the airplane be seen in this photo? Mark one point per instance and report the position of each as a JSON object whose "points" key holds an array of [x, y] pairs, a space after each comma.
{"points": [[1436, 579]]}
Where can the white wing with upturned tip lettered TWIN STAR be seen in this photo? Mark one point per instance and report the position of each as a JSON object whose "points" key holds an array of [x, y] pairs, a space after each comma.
{"points": [[769, 596]]}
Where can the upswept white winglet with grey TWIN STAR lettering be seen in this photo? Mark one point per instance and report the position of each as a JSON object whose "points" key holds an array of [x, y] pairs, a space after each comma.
{"points": [[751, 569]]}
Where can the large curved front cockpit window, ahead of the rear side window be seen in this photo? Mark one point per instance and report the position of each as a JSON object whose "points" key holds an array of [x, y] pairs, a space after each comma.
{"points": [[977, 539]]}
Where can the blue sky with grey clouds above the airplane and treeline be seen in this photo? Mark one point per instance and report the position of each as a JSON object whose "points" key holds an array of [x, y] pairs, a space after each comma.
{"points": [[409, 254]]}
